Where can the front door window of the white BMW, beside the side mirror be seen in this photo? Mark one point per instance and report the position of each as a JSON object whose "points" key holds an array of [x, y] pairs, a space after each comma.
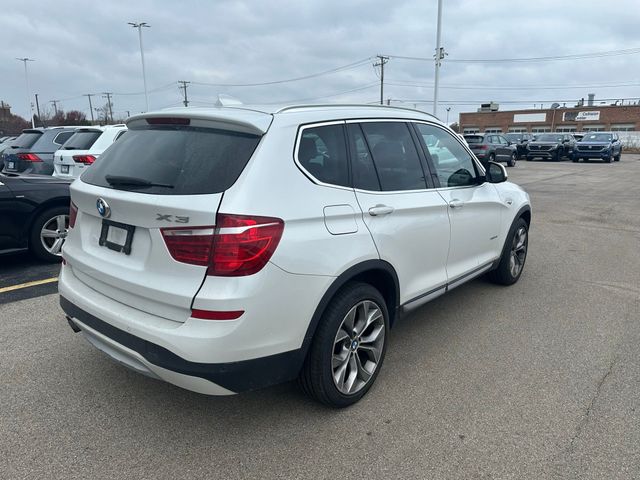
{"points": [[453, 165]]}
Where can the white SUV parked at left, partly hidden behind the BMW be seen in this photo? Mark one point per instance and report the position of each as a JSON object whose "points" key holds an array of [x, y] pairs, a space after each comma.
{"points": [[84, 148]]}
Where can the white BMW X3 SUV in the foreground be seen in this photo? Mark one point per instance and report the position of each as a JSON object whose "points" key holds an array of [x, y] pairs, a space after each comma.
{"points": [[231, 248]]}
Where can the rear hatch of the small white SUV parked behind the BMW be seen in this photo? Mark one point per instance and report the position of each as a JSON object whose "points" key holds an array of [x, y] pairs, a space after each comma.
{"points": [[71, 160]]}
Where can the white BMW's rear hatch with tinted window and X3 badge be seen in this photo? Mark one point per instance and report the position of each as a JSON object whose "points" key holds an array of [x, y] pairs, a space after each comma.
{"points": [[161, 183]]}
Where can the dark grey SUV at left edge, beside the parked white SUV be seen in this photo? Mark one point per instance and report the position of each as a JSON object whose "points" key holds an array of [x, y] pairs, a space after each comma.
{"points": [[32, 152]]}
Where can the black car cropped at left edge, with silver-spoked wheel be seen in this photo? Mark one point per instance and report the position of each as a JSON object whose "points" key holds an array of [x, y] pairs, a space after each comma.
{"points": [[34, 214]]}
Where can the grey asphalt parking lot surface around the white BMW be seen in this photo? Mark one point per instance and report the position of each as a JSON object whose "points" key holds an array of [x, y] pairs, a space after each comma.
{"points": [[537, 380]]}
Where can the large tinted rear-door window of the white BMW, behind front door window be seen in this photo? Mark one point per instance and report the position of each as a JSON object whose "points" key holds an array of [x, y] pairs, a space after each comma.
{"points": [[394, 155]]}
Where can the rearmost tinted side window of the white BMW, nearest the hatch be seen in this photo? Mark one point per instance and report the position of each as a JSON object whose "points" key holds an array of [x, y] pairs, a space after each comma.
{"points": [[323, 153]]}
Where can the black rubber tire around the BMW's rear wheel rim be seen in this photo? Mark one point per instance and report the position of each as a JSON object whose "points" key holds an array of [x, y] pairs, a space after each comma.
{"points": [[316, 377]]}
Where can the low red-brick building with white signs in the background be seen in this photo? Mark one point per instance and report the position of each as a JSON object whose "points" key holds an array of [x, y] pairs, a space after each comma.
{"points": [[621, 118]]}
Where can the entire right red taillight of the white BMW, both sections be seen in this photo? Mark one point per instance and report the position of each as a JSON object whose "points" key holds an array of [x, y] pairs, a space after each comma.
{"points": [[239, 245]]}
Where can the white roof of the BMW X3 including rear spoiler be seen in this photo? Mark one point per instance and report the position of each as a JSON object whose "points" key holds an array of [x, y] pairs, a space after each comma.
{"points": [[258, 118]]}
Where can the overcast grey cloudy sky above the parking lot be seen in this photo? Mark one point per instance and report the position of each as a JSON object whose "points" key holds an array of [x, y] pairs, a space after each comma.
{"points": [[220, 46]]}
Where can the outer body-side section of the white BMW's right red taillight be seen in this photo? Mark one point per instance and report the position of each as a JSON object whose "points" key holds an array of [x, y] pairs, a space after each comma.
{"points": [[243, 244]]}
